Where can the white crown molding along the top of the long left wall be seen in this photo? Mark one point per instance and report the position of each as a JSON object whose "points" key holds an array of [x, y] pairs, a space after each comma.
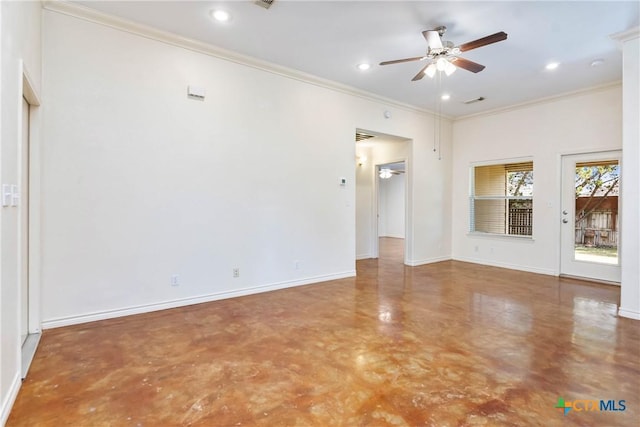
{"points": [[97, 17]]}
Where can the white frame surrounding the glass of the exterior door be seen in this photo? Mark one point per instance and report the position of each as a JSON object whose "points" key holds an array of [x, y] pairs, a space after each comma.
{"points": [[588, 272]]}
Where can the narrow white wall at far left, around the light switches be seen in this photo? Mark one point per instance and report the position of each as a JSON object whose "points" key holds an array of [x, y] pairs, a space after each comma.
{"points": [[20, 51]]}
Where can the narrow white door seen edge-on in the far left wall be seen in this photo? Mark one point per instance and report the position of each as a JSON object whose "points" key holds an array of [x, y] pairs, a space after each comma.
{"points": [[24, 223]]}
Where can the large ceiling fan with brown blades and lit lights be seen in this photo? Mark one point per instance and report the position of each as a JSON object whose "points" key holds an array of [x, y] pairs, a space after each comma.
{"points": [[443, 55]]}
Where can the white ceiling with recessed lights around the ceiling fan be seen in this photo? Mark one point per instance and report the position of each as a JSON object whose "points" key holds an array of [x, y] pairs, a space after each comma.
{"points": [[329, 38]]}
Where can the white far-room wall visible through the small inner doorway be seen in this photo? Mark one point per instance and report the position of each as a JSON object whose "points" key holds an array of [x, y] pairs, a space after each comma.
{"points": [[391, 206]]}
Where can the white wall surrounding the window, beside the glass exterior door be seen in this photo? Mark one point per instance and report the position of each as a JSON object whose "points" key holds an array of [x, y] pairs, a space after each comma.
{"points": [[583, 122]]}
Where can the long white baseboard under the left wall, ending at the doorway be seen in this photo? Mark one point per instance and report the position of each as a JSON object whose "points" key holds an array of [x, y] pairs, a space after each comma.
{"points": [[147, 308]]}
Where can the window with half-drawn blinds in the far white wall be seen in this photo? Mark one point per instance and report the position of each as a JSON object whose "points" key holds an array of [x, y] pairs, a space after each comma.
{"points": [[501, 200]]}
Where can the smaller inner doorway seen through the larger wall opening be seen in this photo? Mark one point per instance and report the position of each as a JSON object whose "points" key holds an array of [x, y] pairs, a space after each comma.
{"points": [[391, 210]]}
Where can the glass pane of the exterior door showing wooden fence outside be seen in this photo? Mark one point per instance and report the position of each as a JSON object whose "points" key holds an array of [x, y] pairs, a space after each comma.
{"points": [[596, 213]]}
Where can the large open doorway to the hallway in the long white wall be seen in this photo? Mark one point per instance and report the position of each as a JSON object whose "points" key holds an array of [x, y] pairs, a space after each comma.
{"points": [[383, 218]]}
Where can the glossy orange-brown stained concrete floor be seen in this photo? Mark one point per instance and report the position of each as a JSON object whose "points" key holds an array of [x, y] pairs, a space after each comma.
{"points": [[446, 344]]}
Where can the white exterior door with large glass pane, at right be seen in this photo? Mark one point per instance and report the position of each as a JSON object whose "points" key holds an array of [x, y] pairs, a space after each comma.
{"points": [[590, 229]]}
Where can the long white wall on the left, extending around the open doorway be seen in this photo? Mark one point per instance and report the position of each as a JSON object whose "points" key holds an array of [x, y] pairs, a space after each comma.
{"points": [[140, 183]]}
